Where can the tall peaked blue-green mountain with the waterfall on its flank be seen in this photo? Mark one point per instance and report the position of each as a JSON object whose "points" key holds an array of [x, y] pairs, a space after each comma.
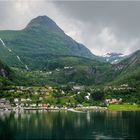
{"points": [[36, 43]]}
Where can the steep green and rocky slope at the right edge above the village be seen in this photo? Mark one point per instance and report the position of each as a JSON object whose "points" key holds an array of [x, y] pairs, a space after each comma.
{"points": [[129, 70]]}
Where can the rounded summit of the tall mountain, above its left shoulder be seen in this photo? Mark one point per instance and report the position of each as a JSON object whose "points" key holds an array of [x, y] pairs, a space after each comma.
{"points": [[41, 21]]}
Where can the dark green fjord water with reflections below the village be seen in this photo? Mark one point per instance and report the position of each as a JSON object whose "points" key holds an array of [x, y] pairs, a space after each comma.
{"points": [[70, 125]]}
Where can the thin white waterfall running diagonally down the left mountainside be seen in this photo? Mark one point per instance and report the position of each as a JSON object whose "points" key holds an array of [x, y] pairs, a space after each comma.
{"points": [[19, 59]]}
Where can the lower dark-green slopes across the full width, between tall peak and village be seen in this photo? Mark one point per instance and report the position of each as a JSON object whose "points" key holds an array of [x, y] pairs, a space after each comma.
{"points": [[77, 70]]}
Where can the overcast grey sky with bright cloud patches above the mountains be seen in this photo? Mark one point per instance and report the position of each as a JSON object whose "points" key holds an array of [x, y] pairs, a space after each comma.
{"points": [[101, 26]]}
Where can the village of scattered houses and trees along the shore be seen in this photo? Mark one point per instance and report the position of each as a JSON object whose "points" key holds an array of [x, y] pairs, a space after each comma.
{"points": [[38, 98]]}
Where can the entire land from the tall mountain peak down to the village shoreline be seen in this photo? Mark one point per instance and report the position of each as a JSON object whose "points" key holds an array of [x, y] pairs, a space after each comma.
{"points": [[43, 67]]}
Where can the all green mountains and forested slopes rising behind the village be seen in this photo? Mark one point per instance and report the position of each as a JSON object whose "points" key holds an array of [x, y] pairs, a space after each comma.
{"points": [[53, 57]]}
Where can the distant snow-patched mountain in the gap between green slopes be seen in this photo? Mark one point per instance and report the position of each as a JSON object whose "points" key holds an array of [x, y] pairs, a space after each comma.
{"points": [[113, 57]]}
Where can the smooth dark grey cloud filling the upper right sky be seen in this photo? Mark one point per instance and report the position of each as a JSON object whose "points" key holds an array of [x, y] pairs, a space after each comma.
{"points": [[122, 16]]}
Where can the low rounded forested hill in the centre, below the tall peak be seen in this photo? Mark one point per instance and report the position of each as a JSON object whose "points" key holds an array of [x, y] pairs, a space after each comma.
{"points": [[76, 70]]}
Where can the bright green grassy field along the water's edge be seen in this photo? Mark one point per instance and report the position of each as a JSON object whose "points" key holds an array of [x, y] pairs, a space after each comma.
{"points": [[124, 107]]}
